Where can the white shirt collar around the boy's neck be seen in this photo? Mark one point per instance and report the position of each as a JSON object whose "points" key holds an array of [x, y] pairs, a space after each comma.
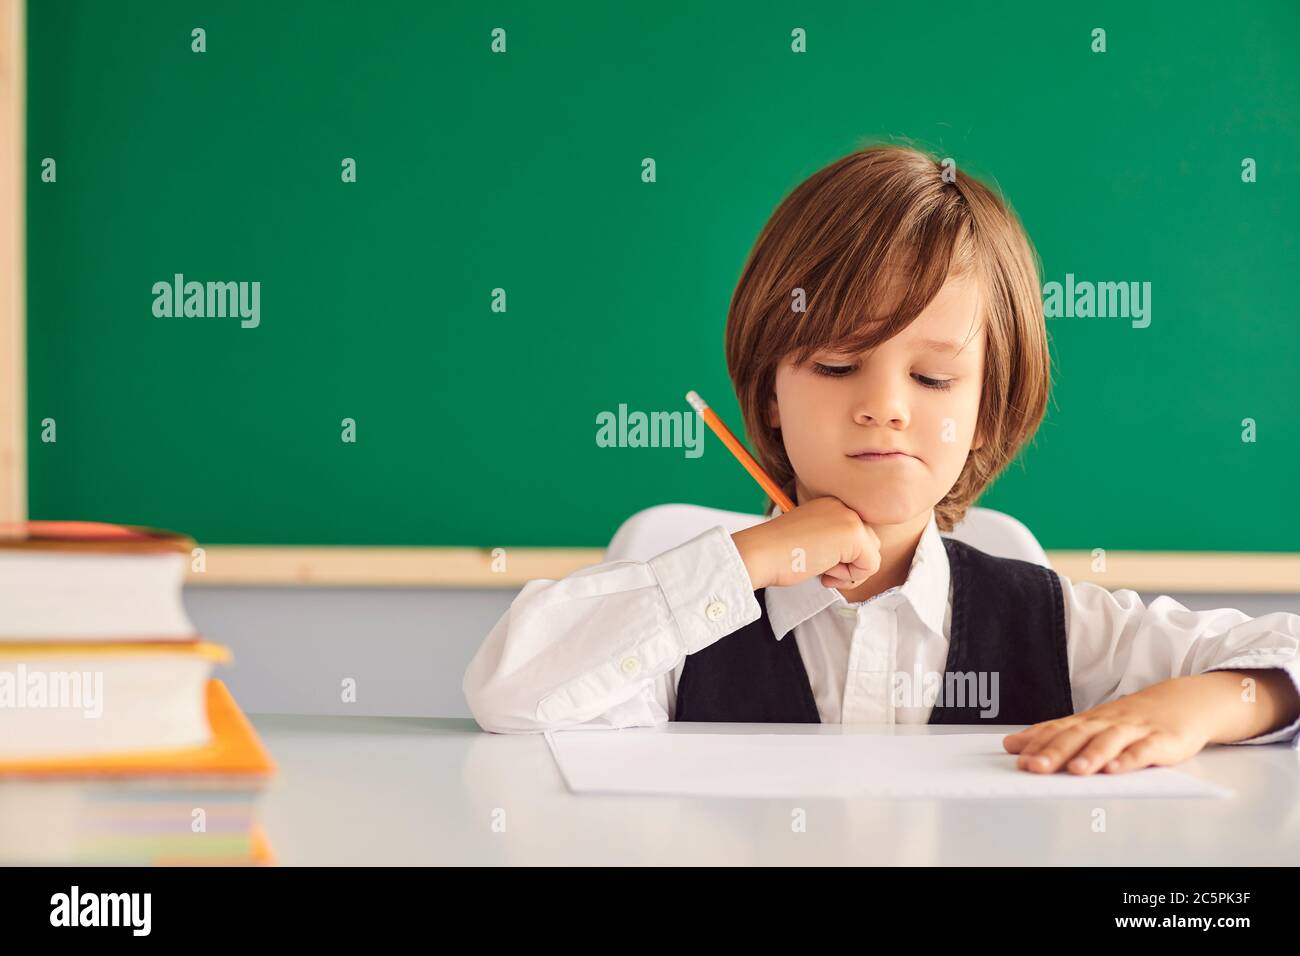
{"points": [[926, 590]]}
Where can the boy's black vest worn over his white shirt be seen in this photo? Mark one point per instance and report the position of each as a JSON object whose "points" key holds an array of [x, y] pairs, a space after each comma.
{"points": [[1008, 620]]}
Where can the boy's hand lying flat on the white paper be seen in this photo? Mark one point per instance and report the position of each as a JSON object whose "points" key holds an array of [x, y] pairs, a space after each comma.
{"points": [[1158, 726]]}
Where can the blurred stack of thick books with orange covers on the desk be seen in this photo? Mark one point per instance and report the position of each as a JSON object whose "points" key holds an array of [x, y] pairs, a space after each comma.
{"points": [[118, 746]]}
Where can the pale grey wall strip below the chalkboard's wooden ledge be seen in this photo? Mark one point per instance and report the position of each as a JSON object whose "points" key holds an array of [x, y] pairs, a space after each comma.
{"points": [[406, 648]]}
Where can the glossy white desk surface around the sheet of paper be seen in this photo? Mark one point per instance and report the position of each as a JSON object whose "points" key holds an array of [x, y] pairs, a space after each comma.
{"points": [[408, 791]]}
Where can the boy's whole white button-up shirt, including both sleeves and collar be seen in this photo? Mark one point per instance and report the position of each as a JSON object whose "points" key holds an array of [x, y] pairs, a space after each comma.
{"points": [[605, 647]]}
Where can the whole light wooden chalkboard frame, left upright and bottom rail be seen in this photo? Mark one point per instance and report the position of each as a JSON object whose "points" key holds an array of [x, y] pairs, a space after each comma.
{"points": [[441, 568]]}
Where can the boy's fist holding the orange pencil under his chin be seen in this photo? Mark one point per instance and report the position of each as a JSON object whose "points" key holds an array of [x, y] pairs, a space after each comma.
{"points": [[822, 538]]}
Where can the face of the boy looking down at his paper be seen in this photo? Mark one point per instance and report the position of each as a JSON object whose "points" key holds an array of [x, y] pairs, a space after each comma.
{"points": [[839, 405]]}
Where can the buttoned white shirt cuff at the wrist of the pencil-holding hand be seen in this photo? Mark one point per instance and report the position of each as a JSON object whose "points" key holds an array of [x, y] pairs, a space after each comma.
{"points": [[708, 589]]}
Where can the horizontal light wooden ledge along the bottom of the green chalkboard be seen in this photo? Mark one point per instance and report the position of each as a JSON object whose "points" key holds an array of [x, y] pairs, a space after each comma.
{"points": [[476, 568]]}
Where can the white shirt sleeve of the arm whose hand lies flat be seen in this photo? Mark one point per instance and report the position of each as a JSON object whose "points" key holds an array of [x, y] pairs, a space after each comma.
{"points": [[1117, 646]]}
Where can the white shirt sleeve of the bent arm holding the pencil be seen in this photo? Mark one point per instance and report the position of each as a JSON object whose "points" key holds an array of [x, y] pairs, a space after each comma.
{"points": [[597, 650]]}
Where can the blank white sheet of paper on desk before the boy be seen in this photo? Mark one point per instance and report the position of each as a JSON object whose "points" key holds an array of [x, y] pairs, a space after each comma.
{"points": [[852, 765]]}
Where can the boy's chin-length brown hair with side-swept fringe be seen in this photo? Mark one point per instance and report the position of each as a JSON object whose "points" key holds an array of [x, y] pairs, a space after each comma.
{"points": [[870, 240]]}
